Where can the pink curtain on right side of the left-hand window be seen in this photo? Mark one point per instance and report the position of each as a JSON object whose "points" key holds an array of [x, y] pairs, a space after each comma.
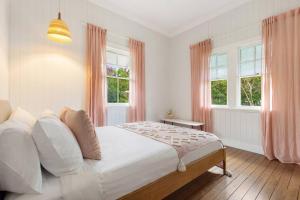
{"points": [[136, 110]]}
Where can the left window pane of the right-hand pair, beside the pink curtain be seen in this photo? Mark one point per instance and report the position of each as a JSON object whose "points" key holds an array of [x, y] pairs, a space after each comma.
{"points": [[218, 74]]}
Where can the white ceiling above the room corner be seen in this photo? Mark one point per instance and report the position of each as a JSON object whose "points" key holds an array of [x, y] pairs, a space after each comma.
{"points": [[169, 17]]}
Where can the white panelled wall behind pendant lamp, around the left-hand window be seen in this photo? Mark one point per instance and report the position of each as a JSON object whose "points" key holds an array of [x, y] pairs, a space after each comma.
{"points": [[44, 74]]}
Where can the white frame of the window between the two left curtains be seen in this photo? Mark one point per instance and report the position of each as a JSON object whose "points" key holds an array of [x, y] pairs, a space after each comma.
{"points": [[124, 52]]}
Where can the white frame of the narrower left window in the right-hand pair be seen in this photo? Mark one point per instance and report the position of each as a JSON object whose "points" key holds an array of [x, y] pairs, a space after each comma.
{"points": [[220, 51]]}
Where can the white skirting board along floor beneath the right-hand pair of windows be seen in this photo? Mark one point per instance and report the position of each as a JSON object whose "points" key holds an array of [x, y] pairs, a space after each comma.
{"points": [[244, 146]]}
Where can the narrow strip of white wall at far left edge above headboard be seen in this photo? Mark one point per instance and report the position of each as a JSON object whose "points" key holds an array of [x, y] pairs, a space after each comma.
{"points": [[4, 48]]}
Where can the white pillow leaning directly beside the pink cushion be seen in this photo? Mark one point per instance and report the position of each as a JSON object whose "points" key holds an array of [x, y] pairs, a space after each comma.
{"points": [[58, 149]]}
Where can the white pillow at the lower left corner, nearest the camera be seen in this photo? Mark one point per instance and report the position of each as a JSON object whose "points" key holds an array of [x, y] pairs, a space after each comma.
{"points": [[20, 169]]}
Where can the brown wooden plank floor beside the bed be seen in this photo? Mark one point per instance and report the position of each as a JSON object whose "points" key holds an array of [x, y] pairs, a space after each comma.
{"points": [[253, 177]]}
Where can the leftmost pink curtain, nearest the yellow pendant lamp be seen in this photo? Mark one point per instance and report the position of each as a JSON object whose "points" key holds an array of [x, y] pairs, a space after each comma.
{"points": [[96, 51]]}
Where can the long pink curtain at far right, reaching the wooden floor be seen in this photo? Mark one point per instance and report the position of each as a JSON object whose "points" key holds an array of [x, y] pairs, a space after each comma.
{"points": [[281, 87]]}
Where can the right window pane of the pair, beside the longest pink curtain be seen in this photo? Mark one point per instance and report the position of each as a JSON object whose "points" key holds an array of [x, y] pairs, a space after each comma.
{"points": [[250, 75]]}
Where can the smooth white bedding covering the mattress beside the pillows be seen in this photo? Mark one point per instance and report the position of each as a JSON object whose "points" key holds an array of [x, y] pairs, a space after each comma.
{"points": [[129, 161]]}
